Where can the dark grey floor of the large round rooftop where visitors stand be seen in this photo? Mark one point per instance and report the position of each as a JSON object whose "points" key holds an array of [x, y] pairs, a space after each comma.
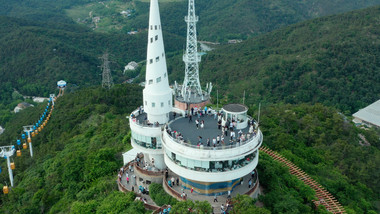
{"points": [[190, 132]]}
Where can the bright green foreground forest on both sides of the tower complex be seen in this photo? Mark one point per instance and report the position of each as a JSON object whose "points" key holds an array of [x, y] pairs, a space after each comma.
{"points": [[77, 155]]}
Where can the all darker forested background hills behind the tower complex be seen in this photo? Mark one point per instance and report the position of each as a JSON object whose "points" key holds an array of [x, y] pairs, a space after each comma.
{"points": [[46, 45]]}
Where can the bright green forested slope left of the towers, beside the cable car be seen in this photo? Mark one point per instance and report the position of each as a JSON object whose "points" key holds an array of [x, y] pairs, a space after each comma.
{"points": [[76, 157]]}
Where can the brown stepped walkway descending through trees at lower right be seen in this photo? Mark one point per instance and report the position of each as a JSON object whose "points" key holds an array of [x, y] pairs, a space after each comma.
{"points": [[324, 197]]}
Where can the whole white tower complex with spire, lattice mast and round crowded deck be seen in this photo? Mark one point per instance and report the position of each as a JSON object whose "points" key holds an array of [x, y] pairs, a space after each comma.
{"points": [[211, 151]]}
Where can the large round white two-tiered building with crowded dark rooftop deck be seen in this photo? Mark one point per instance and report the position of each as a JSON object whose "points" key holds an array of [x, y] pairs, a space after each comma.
{"points": [[193, 158]]}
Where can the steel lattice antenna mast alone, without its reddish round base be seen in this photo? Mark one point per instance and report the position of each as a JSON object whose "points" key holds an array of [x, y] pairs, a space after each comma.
{"points": [[191, 58]]}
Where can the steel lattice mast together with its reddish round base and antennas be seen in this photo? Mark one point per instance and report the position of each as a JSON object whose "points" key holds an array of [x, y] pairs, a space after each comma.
{"points": [[190, 93]]}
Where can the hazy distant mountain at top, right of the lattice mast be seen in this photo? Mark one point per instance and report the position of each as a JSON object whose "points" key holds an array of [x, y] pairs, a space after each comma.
{"points": [[226, 19]]}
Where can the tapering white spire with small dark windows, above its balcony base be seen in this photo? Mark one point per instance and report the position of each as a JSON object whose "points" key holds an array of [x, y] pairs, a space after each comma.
{"points": [[157, 93]]}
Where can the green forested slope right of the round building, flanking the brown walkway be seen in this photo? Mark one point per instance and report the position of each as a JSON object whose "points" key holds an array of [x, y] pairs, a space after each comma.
{"points": [[327, 147]]}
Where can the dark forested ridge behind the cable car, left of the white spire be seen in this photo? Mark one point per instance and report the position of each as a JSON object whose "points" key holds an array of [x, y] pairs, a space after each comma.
{"points": [[34, 55]]}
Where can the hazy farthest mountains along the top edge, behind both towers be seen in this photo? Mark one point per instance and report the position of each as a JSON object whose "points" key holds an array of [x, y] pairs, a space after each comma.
{"points": [[219, 19]]}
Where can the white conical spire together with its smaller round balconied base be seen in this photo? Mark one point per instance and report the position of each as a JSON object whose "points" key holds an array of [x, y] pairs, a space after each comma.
{"points": [[146, 122]]}
